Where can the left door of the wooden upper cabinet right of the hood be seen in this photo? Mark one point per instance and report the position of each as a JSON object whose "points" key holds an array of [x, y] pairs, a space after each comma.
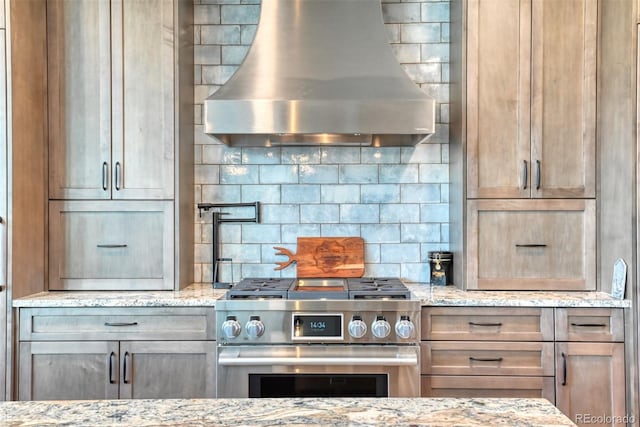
{"points": [[498, 98]]}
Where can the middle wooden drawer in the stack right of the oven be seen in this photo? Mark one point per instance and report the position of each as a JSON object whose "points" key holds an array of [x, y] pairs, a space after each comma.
{"points": [[487, 358]]}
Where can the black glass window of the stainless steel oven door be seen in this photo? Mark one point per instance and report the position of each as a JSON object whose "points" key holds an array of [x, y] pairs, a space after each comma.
{"points": [[318, 385]]}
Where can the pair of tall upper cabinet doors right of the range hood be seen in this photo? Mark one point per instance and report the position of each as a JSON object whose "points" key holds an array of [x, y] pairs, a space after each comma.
{"points": [[531, 98]]}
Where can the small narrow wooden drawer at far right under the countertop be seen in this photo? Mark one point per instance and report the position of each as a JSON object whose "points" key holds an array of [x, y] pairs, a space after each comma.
{"points": [[589, 324]]}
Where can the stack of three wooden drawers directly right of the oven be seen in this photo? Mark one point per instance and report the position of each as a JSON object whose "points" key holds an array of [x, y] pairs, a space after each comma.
{"points": [[487, 352]]}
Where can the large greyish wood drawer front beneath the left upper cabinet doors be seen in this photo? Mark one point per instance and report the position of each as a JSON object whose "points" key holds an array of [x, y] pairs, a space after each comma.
{"points": [[111, 245]]}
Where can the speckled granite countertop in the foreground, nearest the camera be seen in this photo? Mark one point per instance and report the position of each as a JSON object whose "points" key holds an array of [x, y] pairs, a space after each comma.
{"points": [[289, 412]]}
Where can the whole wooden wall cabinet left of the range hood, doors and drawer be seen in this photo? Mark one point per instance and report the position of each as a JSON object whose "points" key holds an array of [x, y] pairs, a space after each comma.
{"points": [[120, 180]]}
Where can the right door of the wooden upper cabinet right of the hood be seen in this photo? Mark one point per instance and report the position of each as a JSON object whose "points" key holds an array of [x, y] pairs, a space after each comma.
{"points": [[563, 116]]}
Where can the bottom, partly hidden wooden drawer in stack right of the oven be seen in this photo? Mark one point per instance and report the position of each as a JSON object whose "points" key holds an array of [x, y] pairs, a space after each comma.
{"points": [[470, 386]]}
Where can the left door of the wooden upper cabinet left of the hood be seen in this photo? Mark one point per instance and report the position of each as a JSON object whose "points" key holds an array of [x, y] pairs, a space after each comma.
{"points": [[79, 99]]}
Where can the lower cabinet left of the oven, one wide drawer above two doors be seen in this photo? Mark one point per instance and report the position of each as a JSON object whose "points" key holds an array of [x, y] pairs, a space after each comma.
{"points": [[123, 353]]}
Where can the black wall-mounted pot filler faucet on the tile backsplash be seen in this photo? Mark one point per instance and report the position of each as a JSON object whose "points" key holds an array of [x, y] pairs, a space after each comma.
{"points": [[218, 218]]}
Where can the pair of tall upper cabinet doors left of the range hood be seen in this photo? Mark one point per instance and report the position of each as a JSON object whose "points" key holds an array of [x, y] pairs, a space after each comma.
{"points": [[111, 99]]}
